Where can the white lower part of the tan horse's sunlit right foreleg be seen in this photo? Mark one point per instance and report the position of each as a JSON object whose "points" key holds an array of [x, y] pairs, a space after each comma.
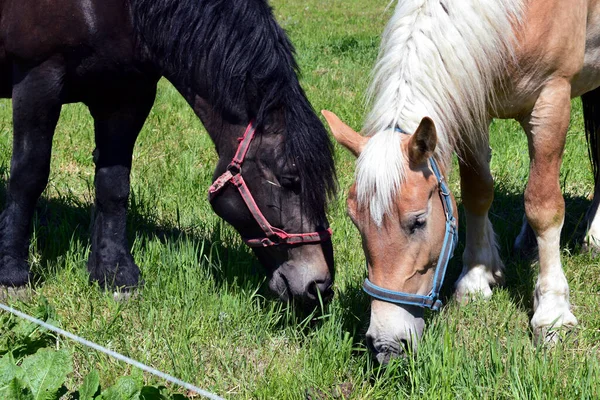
{"points": [[551, 295]]}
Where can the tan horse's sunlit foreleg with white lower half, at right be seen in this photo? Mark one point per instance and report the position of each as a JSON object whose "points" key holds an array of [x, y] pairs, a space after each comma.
{"points": [[546, 128]]}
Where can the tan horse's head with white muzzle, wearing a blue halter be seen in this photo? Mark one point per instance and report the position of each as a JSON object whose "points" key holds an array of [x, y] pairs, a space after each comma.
{"points": [[404, 244]]}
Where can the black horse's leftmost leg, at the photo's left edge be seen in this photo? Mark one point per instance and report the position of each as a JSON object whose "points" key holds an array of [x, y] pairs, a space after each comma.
{"points": [[36, 108]]}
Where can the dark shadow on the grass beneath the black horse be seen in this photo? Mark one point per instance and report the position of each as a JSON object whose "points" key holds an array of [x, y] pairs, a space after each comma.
{"points": [[59, 222]]}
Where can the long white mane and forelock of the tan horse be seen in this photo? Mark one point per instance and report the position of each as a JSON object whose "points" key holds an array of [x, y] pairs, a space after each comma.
{"points": [[438, 58]]}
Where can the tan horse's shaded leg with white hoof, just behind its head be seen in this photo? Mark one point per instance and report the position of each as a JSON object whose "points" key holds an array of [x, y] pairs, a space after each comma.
{"points": [[482, 266]]}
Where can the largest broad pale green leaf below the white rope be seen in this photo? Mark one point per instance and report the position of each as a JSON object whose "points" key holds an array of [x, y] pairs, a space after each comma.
{"points": [[46, 371]]}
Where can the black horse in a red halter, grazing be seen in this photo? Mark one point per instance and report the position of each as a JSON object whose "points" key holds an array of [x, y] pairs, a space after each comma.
{"points": [[235, 67]]}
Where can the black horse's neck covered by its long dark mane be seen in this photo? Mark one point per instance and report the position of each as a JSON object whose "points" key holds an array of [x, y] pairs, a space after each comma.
{"points": [[216, 70]]}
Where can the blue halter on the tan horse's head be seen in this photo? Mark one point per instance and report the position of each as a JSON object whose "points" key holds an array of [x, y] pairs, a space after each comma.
{"points": [[450, 240]]}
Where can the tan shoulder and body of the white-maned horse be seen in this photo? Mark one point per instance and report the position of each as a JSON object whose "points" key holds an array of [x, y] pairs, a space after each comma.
{"points": [[555, 40]]}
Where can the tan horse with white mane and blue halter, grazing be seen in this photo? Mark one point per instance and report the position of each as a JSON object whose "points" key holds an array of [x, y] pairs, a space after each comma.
{"points": [[445, 69]]}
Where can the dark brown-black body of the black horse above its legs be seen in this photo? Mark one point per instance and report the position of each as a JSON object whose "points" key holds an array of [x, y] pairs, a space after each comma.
{"points": [[86, 36]]}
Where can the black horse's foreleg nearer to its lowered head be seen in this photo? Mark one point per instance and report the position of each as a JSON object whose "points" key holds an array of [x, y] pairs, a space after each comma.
{"points": [[118, 120]]}
